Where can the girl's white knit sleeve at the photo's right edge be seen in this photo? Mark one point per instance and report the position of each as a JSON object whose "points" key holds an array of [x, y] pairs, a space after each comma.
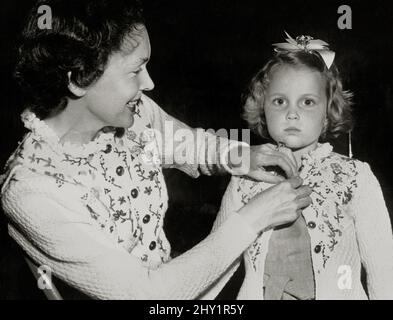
{"points": [[374, 235]]}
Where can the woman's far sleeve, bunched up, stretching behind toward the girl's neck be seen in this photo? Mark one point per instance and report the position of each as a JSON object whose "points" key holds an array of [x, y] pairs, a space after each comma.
{"points": [[193, 151]]}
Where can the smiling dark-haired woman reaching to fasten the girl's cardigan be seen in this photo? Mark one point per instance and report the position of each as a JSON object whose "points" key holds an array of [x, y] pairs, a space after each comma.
{"points": [[84, 192]]}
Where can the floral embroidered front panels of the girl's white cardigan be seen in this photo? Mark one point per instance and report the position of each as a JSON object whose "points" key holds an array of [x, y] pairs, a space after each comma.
{"points": [[332, 178]]}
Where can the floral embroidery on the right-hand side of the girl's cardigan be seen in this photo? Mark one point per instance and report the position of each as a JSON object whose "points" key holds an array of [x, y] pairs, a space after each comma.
{"points": [[333, 180]]}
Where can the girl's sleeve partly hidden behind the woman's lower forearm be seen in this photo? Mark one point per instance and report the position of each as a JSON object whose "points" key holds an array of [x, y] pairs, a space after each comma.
{"points": [[230, 201]]}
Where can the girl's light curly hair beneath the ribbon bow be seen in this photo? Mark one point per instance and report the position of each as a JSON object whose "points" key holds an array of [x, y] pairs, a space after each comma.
{"points": [[339, 117]]}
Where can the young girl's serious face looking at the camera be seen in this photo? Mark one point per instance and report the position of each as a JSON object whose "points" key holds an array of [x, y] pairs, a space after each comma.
{"points": [[295, 107]]}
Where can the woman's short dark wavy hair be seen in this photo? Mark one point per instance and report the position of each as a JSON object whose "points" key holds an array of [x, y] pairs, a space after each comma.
{"points": [[83, 34]]}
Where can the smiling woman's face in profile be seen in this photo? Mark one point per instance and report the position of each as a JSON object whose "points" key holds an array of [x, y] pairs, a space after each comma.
{"points": [[110, 100]]}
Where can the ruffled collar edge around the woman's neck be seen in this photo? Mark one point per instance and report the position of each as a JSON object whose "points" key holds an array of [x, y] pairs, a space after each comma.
{"points": [[40, 129]]}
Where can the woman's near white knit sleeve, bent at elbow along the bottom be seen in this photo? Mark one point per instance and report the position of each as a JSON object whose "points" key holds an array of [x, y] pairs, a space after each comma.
{"points": [[89, 260]]}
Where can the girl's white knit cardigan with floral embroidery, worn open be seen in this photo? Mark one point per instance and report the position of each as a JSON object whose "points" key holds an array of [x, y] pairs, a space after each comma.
{"points": [[348, 224]]}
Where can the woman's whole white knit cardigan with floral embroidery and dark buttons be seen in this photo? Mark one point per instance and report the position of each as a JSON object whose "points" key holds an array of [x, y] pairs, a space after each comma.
{"points": [[94, 214]]}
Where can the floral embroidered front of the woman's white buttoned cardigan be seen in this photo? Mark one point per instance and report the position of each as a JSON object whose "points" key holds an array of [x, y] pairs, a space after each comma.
{"points": [[119, 181]]}
